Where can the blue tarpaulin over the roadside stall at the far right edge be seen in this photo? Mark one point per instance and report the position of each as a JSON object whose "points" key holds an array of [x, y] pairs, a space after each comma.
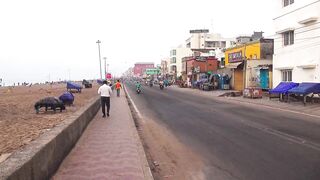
{"points": [[306, 88]]}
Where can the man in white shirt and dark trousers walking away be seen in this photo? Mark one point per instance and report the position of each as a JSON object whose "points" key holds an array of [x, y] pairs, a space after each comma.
{"points": [[105, 93]]}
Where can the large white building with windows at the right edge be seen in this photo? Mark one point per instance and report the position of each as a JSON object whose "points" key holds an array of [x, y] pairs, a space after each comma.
{"points": [[297, 43]]}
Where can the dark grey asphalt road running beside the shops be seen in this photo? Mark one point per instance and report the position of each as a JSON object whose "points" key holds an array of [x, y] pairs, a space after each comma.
{"points": [[237, 141]]}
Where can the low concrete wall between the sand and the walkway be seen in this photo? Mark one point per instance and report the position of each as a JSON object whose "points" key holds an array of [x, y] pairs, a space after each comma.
{"points": [[42, 157]]}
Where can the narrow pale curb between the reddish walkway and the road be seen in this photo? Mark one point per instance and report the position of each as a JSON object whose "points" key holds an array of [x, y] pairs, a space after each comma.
{"points": [[134, 111]]}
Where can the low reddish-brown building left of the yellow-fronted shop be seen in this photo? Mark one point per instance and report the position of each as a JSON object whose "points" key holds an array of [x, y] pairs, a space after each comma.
{"points": [[195, 67]]}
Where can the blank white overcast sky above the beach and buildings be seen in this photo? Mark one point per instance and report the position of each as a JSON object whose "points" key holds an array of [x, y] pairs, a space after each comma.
{"points": [[43, 40]]}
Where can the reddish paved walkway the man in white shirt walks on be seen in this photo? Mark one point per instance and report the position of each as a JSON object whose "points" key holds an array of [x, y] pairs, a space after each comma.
{"points": [[110, 148]]}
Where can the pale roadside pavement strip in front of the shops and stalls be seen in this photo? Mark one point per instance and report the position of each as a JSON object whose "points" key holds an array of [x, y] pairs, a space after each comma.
{"points": [[310, 109]]}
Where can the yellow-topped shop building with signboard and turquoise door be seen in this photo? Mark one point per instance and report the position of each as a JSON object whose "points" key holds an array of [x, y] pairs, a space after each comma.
{"points": [[251, 64]]}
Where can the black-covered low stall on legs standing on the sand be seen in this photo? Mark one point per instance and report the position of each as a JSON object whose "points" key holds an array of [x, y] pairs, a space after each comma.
{"points": [[51, 102]]}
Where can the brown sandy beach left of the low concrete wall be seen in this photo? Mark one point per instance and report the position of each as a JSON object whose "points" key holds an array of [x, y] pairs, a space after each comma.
{"points": [[19, 123]]}
